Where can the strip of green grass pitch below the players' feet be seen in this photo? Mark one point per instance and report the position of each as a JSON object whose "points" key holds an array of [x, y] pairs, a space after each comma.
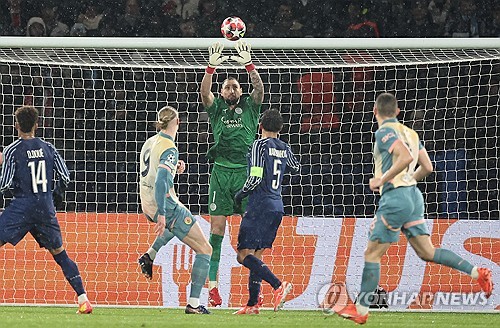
{"points": [[60, 317]]}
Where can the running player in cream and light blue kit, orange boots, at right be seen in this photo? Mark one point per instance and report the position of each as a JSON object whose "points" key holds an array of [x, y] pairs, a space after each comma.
{"points": [[397, 152]]}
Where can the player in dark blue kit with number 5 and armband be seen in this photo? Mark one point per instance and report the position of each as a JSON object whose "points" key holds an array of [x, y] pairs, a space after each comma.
{"points": [[269, 159]]}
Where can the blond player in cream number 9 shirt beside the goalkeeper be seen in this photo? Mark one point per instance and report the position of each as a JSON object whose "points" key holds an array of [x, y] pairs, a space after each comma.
{"points": [[158, 168]]}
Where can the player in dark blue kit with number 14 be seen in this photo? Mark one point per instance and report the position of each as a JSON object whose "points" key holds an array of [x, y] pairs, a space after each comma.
{"points": [[28, 170]]}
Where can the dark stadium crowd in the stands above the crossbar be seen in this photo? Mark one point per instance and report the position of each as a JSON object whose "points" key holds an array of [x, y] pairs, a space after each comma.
{"points": [[282, 18]]}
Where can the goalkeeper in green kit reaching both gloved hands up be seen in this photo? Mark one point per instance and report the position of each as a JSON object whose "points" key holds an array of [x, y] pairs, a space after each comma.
{"points": [[234, 119]]}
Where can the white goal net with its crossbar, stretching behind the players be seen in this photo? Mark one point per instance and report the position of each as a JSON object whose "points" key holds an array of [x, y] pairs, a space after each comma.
{"points": [[98, 100]]}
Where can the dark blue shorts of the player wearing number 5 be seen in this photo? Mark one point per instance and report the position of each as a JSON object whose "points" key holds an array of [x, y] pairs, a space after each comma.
{"points": [[258, 230]]}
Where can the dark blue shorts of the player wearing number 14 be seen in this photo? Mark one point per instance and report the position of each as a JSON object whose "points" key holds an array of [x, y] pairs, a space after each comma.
{"points": [[38, 217]]}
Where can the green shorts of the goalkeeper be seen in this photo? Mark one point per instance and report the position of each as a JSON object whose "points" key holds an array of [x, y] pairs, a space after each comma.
{"points": [[224, 184]]}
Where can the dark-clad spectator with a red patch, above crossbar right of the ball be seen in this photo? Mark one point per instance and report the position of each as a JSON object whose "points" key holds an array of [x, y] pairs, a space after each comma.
{"points": [[360, 26]]}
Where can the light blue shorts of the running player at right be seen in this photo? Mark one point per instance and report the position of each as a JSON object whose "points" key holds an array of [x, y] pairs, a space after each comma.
{"points": [[400, 209]]}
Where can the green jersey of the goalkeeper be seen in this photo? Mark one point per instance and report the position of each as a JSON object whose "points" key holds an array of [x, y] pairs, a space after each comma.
{"points": [[234, 131]]}
